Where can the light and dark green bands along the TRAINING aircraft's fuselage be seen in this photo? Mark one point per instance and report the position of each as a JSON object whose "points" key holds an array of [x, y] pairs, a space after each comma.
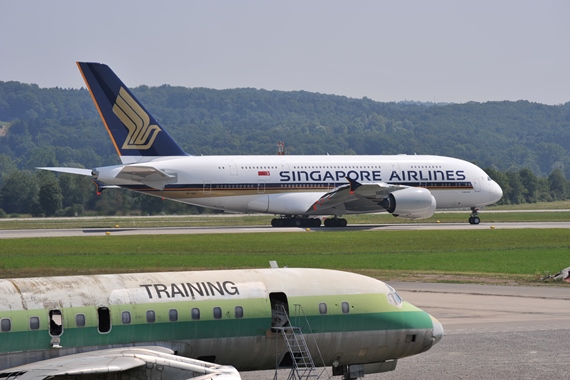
{"points": [[366, 313]]}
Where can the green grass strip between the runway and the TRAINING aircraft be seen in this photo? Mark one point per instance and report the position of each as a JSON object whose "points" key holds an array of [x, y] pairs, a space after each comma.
{"points": [[498, 256]]}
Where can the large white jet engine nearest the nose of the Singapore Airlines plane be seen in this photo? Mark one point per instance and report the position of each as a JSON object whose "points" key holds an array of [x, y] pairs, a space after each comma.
{"points": [[412, 202]]}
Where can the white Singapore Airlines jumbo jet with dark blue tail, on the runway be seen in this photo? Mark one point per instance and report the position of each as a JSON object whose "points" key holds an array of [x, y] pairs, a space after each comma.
{"points": [[297, 188]]}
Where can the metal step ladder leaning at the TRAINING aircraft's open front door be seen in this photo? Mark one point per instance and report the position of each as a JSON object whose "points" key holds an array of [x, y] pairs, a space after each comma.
{"points": [[303, 366]]}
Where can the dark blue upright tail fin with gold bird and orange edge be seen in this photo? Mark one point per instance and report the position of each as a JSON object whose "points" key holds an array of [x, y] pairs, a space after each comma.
{"points": [[137, 136]]}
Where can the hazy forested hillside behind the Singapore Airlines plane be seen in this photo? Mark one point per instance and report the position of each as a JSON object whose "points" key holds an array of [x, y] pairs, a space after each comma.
{"points": [[61, 127]]}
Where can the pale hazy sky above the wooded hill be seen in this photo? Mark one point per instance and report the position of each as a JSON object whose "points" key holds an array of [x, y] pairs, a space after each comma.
{"points": [[443, 51]]}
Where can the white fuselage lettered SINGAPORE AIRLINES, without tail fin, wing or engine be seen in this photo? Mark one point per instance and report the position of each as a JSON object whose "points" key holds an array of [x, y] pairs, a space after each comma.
{"points": [[291, 184]]}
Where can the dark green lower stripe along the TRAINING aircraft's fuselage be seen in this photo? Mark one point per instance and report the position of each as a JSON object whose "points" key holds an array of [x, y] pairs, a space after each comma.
{"points": [[191, 330]]}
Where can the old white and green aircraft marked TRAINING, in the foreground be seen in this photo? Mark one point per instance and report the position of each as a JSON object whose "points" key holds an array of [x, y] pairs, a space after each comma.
{"points": [[204, 324]]}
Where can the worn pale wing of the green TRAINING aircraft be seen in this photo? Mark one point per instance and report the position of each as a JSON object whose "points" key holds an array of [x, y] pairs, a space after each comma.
{"points": [[132, 362]]}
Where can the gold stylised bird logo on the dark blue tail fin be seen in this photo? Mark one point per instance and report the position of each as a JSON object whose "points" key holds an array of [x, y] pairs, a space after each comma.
{"points": [[141, 134]]}
